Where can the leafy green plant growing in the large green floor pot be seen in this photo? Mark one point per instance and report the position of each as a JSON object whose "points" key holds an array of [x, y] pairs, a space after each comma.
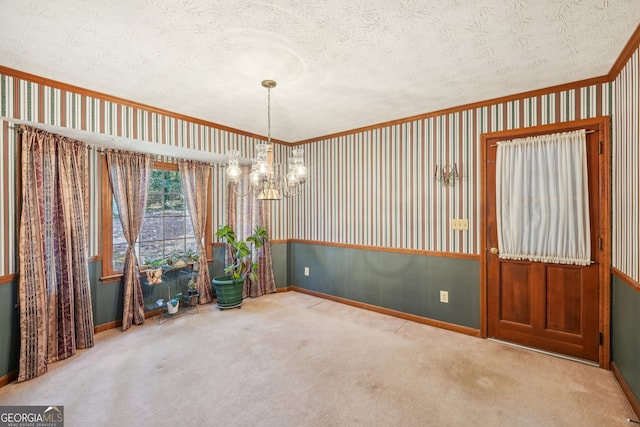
{"points": [[241, 265]]}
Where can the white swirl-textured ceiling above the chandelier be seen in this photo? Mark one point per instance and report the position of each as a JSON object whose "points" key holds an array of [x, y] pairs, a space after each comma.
{"points": [[339, 65]]}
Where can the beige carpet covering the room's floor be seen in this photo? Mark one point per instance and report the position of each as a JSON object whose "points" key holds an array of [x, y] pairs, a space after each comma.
{"points": [[290, 359]]}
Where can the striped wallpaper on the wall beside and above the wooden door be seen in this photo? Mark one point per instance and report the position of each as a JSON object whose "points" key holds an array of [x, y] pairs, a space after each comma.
{"points": [[376, 187]]}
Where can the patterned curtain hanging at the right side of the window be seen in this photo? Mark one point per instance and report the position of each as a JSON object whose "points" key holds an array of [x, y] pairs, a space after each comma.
{"points": [[195, 182]]}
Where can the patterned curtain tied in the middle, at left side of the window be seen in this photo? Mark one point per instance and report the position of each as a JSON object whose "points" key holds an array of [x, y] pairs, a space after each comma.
{"points": [[129, 174]]}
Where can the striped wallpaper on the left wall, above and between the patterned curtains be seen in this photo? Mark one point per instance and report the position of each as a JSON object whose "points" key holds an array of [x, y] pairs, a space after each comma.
{"points": [[26, 100]]}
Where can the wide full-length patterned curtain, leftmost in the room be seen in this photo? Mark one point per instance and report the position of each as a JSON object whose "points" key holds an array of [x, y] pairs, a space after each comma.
{"points": [[56, 316]]}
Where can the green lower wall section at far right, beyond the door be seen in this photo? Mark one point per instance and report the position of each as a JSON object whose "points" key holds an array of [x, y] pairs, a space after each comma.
{"points": [[625, 333]]}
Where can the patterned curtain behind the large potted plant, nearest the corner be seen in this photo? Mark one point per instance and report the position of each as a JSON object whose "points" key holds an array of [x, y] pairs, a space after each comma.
{"points": [[243, 215]]}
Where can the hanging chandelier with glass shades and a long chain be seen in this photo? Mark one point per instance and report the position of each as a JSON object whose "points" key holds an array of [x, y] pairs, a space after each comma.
{"points": [[268, 180]]}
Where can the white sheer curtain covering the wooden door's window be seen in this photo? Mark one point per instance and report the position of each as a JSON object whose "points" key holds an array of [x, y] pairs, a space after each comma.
{"points": [[542, 199]]}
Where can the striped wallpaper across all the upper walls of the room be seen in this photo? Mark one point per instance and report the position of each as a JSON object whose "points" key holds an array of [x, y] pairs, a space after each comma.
{"points": [[373, 187]]}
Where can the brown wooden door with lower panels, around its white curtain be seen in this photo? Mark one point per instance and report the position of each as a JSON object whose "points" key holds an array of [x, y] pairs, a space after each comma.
{"points": [[553, 307]]}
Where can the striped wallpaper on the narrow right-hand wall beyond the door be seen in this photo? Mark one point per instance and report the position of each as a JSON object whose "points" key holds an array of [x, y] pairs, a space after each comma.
{"points": [[625, 164]]}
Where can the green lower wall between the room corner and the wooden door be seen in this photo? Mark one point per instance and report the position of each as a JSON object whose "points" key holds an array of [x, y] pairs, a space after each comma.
{"points": [[404, 282]]}
